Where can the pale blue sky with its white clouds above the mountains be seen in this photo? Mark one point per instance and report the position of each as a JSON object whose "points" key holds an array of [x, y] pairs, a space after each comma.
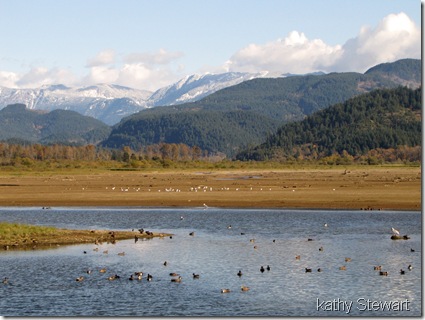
{"points": [[149, 44]]}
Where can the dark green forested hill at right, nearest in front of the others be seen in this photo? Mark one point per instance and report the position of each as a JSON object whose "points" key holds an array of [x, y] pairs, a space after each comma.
{"points": [[382, 119]]}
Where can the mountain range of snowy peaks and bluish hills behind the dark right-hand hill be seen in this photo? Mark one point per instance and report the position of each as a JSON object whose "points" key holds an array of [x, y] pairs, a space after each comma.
{"points": [[230, 120]]}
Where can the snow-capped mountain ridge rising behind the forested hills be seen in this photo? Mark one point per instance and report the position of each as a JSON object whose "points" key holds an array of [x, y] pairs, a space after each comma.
{"points": [[110, 103]]}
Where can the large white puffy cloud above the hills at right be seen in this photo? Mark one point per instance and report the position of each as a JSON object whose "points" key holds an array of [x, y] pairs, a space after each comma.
{"points": [[396, 37]]}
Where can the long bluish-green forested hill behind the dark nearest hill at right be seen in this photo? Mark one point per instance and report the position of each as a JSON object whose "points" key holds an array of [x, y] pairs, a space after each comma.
{"points": [[240, 116]]}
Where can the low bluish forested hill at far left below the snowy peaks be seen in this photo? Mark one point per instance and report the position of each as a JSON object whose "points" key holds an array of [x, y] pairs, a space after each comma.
{"points": [[19, 124]]}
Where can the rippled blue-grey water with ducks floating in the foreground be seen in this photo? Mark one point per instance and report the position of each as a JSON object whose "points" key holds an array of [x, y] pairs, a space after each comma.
{"points": [[42, 282]]}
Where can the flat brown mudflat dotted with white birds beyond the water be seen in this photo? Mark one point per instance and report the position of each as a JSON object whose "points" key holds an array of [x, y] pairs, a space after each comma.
{"points": [[370, 188]]}
